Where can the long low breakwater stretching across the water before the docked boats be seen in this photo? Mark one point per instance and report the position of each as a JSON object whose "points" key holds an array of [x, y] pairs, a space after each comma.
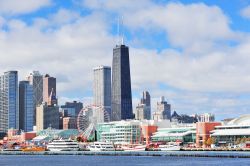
{"points": [[142, 153]]}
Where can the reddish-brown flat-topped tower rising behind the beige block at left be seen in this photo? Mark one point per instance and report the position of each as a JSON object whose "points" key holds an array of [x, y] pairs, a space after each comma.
{"points": [[49, 89]]}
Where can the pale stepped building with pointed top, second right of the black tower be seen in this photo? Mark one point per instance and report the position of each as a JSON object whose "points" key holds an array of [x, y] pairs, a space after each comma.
{"points": [[163, 110]]}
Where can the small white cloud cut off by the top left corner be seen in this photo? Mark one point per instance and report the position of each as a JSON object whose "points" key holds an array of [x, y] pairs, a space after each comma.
{"points": [[12, 7]]}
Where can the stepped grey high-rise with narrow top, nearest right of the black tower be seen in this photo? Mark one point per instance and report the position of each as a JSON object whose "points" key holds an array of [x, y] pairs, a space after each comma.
{"points": [[143, 110]]}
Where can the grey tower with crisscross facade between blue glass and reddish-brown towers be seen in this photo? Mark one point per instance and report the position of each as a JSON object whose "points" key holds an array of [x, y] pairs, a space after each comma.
{"points": [[36, 80]]}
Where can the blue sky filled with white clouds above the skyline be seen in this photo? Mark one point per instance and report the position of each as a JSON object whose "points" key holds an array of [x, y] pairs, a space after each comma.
{"points": [[195, 53]]}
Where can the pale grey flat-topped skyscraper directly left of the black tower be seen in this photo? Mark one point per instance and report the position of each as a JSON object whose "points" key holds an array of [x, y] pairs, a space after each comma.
{"points": [[102, 87]]}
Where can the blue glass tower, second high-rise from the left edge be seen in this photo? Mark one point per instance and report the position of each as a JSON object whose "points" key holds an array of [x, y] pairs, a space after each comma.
{"points": [[26, 107]]}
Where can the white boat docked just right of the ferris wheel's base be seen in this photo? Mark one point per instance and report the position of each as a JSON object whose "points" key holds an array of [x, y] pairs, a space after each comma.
{"points": [[101, 146]]}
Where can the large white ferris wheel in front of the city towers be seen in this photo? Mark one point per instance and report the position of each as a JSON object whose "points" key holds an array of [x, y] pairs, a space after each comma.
{"points": [[88, 118]]}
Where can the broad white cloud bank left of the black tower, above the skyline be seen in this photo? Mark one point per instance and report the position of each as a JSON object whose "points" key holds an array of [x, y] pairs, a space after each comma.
{"points": [[69, 50]]}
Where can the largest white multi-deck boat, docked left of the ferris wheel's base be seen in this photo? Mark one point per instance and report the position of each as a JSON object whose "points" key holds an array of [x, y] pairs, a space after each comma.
{"points": [[63, 145]]}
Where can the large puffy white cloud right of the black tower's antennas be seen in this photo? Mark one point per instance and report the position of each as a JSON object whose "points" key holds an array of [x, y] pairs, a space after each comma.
{"points": [[196, 27]]}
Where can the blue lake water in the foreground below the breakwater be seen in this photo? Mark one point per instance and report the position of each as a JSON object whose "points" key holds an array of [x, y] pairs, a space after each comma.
{"points": [[71, 160]]}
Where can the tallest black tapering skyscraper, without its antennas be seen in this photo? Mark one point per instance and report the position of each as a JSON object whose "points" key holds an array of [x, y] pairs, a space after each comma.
{"points": [[121, 84]]}
